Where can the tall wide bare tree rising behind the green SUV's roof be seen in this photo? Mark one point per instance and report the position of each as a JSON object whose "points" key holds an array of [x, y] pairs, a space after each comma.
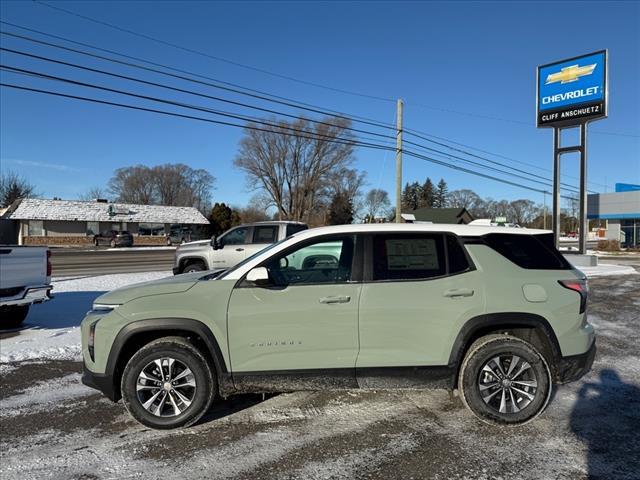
{"points": [[295, 171]]}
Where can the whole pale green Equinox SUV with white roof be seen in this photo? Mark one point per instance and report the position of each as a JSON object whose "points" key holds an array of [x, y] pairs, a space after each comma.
{"points": [[496, 313]]}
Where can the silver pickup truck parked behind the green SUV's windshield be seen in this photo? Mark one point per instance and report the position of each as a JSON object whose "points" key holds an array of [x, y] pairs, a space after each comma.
{"points": [[232, 247]]}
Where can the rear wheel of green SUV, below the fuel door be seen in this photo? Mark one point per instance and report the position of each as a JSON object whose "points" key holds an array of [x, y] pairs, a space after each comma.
{"points": [[504, 389]]}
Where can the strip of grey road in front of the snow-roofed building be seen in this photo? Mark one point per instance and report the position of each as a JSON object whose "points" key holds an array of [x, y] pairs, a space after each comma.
{"points": [[104, 261]]}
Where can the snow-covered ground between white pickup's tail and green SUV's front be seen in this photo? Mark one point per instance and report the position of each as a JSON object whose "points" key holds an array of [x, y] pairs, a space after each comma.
{"points": [[52, 329]]}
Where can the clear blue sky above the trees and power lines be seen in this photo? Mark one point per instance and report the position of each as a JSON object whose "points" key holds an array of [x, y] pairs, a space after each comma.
{"points": [[466, 71]]}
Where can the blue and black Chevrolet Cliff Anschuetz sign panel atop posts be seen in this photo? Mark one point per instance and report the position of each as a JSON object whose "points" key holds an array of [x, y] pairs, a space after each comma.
{"points": [[572, 91]]}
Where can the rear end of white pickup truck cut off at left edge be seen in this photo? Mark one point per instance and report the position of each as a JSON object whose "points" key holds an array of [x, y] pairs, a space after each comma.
{"points": [[25, 279]]}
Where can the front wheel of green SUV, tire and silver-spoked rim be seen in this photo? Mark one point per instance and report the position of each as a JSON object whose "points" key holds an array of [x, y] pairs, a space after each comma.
{"points": [[168, 384]]}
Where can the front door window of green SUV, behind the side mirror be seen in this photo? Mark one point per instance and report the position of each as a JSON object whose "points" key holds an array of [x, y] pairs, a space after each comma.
{"points": [[322, 262]]}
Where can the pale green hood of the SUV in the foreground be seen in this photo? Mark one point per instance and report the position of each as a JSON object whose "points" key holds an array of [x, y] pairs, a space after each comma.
{"points": [[172, 284]]}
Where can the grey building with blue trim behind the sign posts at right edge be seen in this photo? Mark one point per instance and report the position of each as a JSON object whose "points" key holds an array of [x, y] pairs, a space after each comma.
{"points": [[620, 210]]}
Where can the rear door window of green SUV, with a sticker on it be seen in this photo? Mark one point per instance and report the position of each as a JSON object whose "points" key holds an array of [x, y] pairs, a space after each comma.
{"points": [[408, 257]]}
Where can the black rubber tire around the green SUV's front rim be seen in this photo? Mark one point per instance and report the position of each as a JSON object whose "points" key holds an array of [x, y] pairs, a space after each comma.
{"points": [[183, 352]]}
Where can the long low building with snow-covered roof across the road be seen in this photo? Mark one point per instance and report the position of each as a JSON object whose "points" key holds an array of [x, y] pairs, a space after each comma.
{"points": [[70, 222]]}
